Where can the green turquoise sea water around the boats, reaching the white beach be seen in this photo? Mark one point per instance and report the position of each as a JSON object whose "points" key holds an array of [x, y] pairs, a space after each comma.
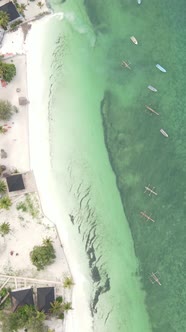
{"points": [[92, 101]]}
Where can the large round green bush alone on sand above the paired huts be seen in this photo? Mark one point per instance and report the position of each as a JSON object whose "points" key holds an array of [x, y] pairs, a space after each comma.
{"points": [[43, 255]]}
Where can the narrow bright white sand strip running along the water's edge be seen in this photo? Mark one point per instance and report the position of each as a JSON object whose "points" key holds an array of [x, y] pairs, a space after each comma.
{"points": [[48, 196]]}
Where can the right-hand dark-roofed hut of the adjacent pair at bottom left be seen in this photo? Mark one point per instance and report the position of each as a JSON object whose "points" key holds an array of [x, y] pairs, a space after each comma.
{"points": [[45, 296]]}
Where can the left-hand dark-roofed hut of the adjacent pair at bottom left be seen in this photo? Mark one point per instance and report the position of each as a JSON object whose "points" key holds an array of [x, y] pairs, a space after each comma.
{"points": [[21, 297]]}
